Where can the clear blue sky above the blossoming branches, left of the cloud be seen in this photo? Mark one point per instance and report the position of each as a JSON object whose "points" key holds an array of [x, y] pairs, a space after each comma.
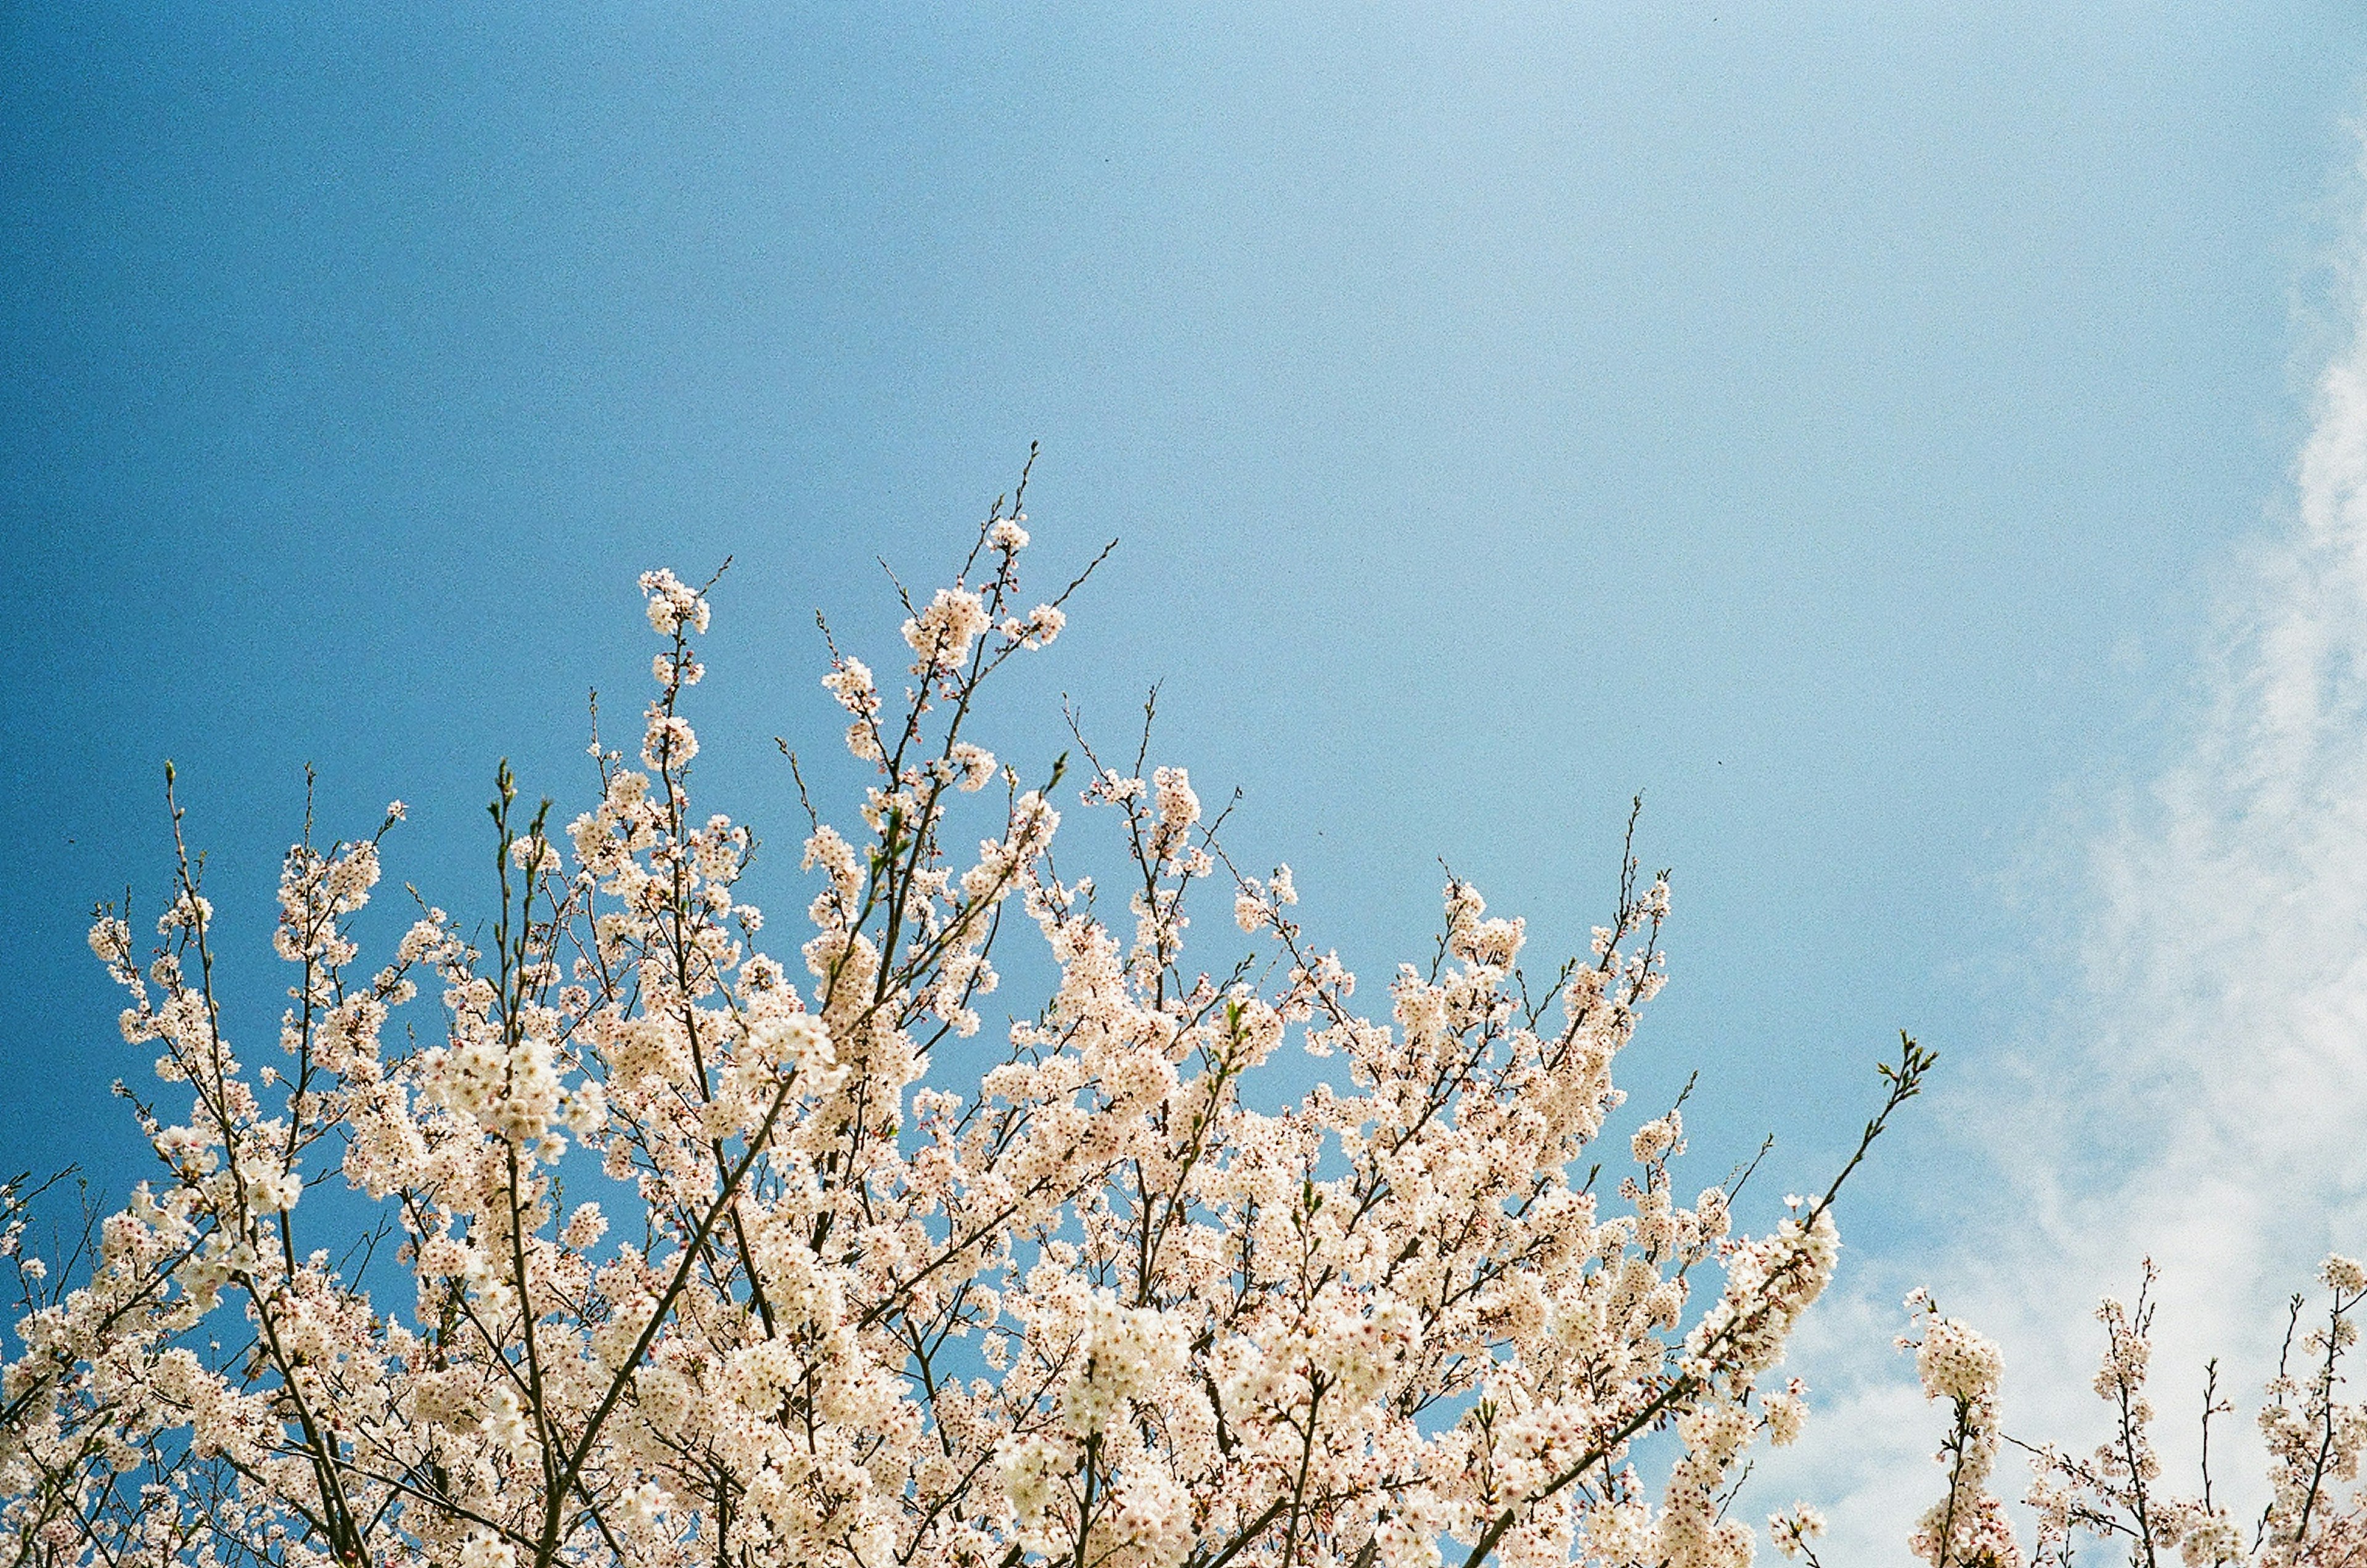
{"points": [[1838, 423]]}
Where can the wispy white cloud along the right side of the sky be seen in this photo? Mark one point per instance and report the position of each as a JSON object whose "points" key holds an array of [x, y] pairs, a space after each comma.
{"points": [[2202, 1098]]}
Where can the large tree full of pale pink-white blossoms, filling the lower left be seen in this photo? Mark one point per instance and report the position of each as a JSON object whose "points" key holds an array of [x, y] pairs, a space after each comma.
{"points": [[851, 1290]]}
